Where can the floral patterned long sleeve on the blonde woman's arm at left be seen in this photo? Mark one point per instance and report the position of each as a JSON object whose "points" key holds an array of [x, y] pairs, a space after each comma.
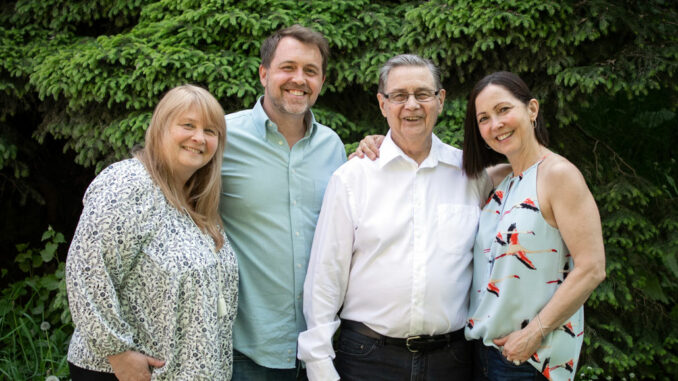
{"points": [[105, 246]]}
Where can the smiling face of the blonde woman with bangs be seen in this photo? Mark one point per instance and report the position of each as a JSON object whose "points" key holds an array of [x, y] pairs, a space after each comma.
{"points": [[189, 144]]}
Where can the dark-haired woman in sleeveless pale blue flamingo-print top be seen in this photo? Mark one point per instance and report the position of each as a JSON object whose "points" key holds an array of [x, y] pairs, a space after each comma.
{"points": [[539, 251]]}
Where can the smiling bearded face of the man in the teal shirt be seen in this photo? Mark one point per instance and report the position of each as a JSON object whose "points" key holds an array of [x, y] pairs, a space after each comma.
{"points": [[293, 80]]}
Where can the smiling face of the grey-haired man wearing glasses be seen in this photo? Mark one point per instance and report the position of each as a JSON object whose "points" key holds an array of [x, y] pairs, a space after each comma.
{"points": [[412, 121]]}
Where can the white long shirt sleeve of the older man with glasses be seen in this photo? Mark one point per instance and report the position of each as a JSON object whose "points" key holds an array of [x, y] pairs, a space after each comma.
{"points": [[326, 280]]}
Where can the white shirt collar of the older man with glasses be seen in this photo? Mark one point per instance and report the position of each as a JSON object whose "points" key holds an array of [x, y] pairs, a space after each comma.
{"points": [[440, 152]]}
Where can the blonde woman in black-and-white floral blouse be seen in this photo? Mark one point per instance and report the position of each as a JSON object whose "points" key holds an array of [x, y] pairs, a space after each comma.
{"points": [[152, 280]]}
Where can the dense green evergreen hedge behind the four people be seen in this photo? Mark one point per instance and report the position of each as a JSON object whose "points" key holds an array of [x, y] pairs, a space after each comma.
{"points": [[87, 73]]}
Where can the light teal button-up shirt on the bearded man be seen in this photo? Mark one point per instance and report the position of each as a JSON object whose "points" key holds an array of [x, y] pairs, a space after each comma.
{"points": [[270, 201]]}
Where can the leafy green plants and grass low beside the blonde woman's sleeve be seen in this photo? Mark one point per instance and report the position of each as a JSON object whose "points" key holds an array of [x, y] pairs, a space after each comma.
{"points": [[35, 323]]}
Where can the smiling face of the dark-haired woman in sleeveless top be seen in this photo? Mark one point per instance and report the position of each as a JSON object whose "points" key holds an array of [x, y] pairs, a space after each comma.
{"points": [[505, 123]]}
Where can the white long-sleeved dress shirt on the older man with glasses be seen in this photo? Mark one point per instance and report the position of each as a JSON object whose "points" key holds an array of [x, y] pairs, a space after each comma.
{"points": [[393, 247]]}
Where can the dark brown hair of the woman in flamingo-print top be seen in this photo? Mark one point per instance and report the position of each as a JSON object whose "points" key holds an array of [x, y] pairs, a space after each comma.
{"points": [[477, 155]]}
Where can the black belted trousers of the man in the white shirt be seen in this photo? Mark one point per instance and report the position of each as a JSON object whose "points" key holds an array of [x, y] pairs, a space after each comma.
{"points": [[360, 358]]}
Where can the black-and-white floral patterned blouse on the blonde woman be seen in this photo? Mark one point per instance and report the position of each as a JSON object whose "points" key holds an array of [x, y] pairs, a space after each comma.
{"points": [[141, 276]]}
